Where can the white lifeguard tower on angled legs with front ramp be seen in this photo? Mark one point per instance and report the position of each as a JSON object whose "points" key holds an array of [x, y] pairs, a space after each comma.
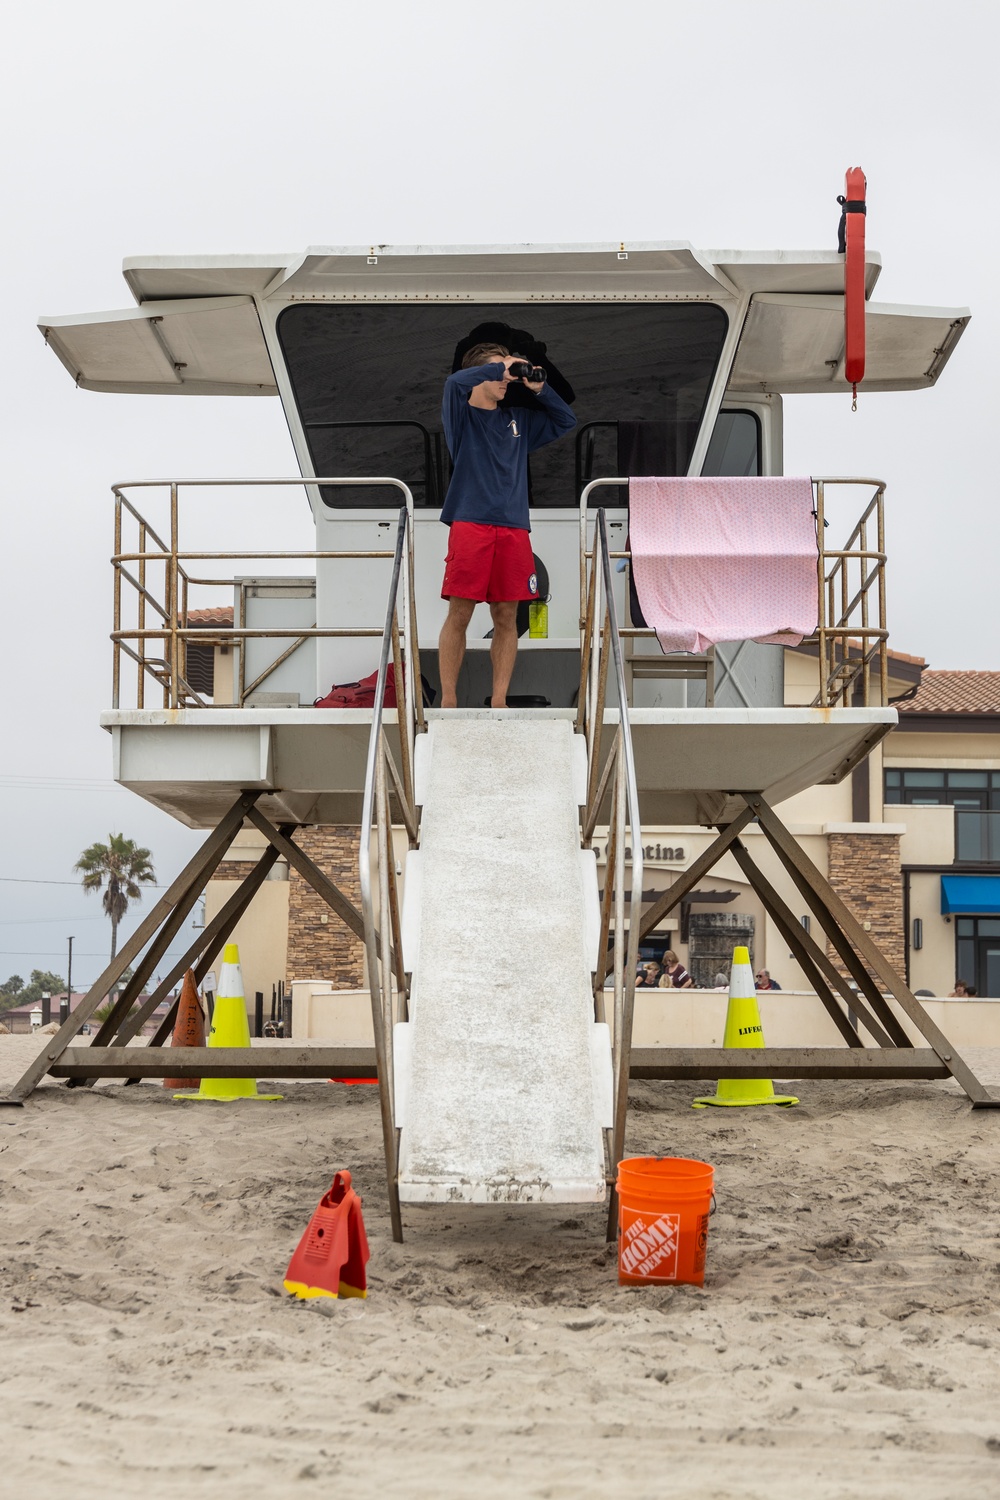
{"points": [[504, 1075]]}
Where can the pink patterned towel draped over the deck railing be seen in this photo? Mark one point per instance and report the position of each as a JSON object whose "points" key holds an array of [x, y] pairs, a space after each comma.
{"points": [[725, 560]]}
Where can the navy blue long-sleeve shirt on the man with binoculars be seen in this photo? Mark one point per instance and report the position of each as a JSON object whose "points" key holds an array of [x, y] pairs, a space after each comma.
{"points": [[490, 449]]}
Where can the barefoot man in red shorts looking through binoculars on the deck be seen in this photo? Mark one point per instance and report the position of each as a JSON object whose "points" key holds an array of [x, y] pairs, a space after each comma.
{"points": [[487, 508]]}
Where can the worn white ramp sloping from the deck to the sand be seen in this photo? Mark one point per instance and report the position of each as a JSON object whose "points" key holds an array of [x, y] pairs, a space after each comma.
{"points": [[503, 1079]]}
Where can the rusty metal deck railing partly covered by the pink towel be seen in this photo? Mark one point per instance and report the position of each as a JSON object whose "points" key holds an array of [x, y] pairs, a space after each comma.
{"points": [[843, 623]]}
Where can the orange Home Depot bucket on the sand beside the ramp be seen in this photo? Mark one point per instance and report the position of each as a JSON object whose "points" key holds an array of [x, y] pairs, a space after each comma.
{"points": [[663, 1210]]}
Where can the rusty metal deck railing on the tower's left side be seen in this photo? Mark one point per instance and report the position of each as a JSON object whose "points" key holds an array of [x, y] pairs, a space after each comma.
{"points": [[175, 631]]}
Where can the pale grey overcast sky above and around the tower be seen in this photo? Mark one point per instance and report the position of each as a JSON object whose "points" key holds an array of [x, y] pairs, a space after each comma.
{"points": [[250, 128]]}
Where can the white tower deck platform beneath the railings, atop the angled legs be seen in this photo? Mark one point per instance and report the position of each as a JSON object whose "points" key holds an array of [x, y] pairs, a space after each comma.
{"points": [[311, 763]]}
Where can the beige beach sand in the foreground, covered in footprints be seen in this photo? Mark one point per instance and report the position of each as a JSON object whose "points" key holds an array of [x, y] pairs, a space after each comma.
{"points": [[845, 1343]]}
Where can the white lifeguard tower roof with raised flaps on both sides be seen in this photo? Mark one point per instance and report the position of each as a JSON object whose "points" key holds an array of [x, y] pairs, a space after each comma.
{"points": [[197, 329]]}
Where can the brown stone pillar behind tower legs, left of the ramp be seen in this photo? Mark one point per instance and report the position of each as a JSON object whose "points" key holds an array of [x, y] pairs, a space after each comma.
{"points": [[320, 946]]}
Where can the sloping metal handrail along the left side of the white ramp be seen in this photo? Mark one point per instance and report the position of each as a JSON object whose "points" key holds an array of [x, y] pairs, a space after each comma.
{"points": [[385, 944]]}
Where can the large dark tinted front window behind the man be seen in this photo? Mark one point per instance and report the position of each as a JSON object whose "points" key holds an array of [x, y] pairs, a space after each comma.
{"points": [[368, 385]]}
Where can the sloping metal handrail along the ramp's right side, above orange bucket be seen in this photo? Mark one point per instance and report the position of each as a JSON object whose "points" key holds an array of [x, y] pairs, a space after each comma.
{"points": [[602, 655]]}
